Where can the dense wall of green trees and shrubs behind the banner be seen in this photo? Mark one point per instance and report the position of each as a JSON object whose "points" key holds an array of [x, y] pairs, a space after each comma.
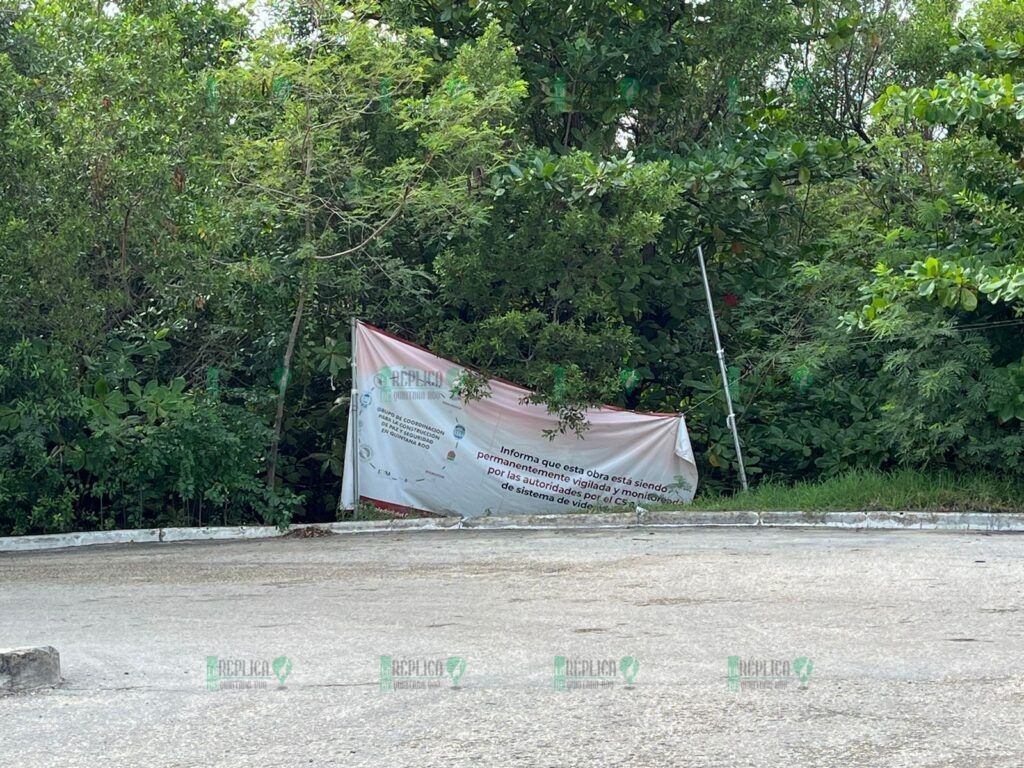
{"points": [[195, 199]]}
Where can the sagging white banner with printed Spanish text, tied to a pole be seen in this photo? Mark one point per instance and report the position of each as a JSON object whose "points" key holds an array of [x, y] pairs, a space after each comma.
{"points": [[422, 449]]}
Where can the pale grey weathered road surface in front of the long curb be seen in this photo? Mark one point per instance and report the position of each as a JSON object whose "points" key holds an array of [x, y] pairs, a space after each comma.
{"points": [[915, 642]]}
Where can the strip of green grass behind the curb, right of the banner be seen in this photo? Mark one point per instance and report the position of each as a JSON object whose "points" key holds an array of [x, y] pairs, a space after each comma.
{"points": [[904, 490]]}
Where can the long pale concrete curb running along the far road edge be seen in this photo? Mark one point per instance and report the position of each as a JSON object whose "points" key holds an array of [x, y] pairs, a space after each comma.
{"points": [[979, 522]]}
